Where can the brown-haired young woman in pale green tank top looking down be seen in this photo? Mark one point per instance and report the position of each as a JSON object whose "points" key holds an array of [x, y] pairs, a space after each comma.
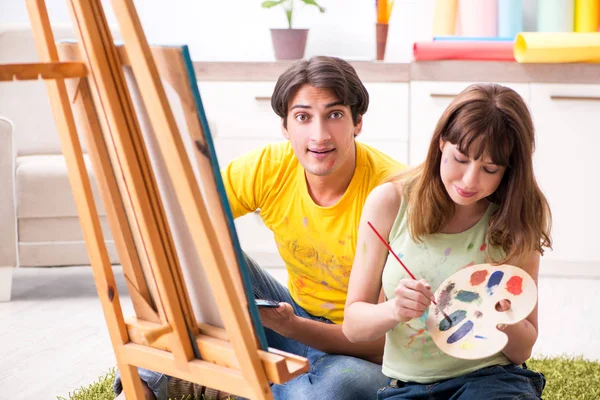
{"points": [[474, 200]]}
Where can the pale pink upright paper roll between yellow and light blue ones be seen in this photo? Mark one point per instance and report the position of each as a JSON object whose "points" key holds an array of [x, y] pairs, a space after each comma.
{"points": [[478, 17]]}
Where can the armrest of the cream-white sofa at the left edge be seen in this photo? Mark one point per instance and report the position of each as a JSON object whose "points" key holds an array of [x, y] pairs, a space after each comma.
{"points": [[8, 212]]}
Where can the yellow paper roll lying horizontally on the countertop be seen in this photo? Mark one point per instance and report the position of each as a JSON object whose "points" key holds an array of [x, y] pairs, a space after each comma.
{"points": [[560, 47]]}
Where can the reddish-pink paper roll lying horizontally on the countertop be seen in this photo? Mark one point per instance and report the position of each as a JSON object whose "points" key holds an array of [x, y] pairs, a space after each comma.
{"points": [[447, 50]]}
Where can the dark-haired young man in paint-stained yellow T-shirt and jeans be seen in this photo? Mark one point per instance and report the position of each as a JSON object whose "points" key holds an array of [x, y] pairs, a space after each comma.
{"points": [[310, 191]]}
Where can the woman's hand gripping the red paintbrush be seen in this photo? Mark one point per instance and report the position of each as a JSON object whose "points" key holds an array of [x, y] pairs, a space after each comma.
{"points": [[411, 299]]}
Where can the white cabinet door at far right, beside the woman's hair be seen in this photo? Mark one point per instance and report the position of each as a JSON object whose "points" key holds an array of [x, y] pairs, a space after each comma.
{"points": [[567, 122]]}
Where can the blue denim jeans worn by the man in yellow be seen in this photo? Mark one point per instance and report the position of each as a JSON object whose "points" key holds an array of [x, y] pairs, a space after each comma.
{"points": [[331, 377]]}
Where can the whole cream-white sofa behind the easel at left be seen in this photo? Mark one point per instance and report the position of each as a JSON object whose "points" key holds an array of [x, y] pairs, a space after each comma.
{"points": [[39, 220]]}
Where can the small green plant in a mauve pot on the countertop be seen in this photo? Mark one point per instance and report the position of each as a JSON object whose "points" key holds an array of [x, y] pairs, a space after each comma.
{"points": [[289, 43]]}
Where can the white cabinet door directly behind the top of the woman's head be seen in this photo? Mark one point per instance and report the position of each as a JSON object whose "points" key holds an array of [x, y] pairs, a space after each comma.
{"points": [[428, 100]]}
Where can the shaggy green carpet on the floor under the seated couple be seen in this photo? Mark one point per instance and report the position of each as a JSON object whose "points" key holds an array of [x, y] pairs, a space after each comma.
{"points": [[567, 379]]}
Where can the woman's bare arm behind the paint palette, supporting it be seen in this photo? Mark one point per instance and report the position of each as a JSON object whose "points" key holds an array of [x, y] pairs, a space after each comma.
{"points": [[523, 335]]}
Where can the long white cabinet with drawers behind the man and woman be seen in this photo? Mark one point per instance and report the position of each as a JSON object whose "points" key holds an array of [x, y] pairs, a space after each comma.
{"points": [[400, 121]]}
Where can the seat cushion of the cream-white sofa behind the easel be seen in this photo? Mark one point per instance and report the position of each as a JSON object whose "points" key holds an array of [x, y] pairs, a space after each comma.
{"points": [[43, 189]]}
